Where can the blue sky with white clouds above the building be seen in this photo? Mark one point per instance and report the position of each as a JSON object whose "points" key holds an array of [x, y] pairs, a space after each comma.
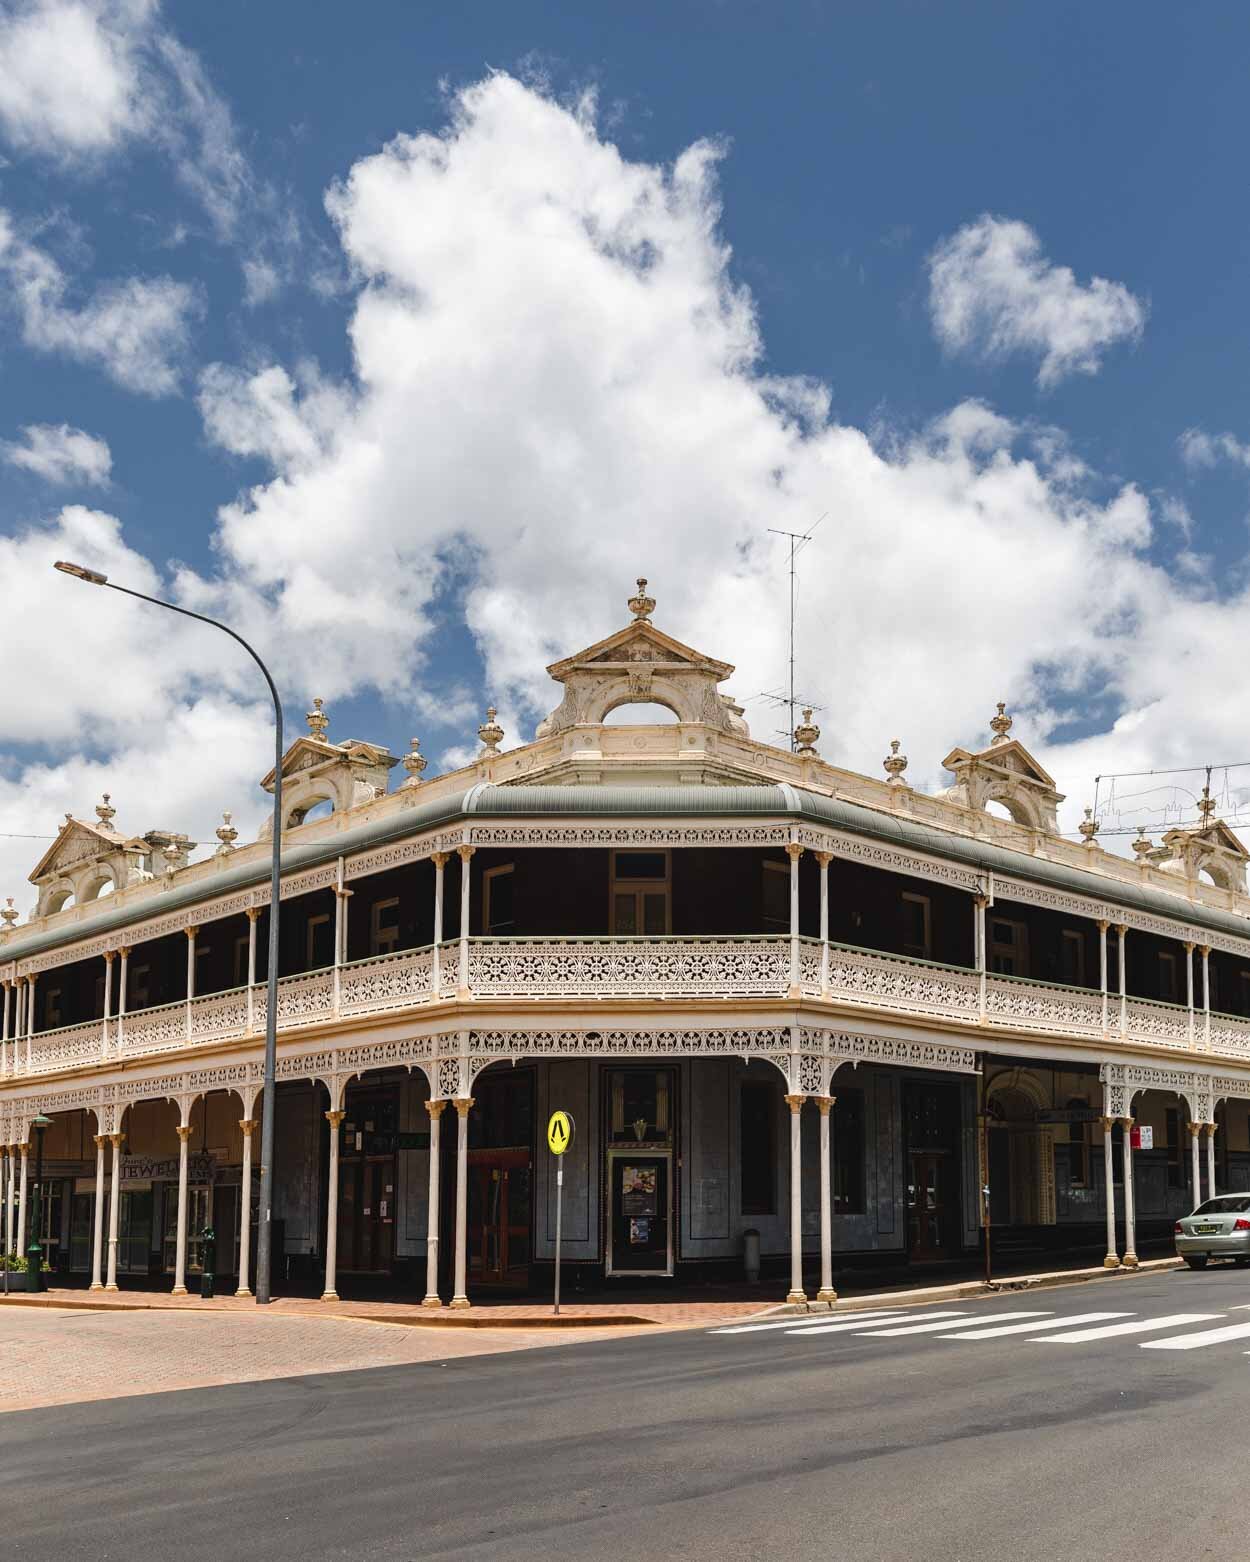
{"points": [[388, 444]]}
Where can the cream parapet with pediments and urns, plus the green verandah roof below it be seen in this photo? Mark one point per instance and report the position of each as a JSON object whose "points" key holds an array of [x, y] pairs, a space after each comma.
{"points": [[705, 754]]}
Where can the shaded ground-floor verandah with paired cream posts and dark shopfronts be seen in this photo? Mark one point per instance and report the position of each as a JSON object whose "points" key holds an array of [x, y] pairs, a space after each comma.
{"points": [[684, 1169]]}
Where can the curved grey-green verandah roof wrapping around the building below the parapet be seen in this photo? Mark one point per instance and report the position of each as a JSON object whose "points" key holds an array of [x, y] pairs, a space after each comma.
{"points": [[780, 802]]}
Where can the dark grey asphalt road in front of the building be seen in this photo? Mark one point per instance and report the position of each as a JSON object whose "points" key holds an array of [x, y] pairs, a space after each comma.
{"points": [[693, 1446]]}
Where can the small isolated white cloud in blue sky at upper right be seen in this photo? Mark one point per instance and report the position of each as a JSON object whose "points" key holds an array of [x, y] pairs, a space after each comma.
{"points": [[995, 293]]}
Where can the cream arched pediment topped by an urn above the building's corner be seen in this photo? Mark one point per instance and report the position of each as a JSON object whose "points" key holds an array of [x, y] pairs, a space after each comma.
{"points": [[641, 666]]}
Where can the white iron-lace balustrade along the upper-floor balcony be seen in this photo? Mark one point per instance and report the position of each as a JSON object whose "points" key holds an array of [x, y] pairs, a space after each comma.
{"points": [[529, 969]]}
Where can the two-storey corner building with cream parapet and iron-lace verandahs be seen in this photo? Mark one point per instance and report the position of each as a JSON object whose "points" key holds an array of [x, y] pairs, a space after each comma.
{"points": [[774, 996]]}
